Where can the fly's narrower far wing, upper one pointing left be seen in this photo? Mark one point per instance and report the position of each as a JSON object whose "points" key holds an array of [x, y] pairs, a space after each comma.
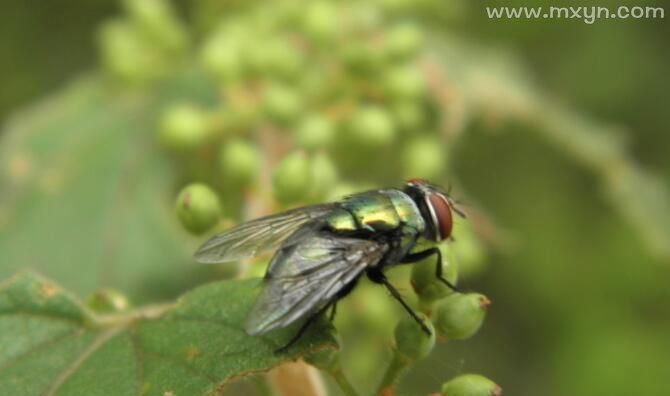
{"points": [[254, 237]]}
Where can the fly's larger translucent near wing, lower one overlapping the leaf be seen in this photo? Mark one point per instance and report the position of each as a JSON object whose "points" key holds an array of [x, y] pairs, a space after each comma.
{"points": [[305, 275]]}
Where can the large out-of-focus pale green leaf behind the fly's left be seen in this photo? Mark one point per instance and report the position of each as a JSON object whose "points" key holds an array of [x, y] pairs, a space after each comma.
{"points": [[86, 195]]}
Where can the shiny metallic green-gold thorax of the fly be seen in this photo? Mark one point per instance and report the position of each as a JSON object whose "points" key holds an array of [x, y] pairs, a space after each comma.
{"points": [[377, 211]]}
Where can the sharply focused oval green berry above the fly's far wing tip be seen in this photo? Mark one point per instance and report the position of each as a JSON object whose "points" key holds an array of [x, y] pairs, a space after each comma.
{"points": [[198, 207]]}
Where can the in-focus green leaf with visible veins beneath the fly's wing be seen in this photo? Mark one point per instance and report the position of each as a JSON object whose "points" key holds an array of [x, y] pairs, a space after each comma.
{"points": [[50, 344]]}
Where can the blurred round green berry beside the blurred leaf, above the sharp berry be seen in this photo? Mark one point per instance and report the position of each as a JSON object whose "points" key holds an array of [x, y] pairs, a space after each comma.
{"points": [[184, 127]]}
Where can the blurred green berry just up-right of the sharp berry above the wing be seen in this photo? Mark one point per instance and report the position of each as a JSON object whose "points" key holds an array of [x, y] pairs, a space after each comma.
{"points": [[239, 161]]}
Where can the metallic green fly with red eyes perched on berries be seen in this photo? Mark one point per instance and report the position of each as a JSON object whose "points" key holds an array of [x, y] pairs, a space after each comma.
{"points": [[321, 251]]}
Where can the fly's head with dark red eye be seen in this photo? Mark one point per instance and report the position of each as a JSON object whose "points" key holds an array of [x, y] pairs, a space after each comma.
{"points": [[436, 207]]}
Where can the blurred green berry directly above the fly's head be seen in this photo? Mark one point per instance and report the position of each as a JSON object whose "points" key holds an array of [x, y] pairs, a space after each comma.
{"points": [[423, 156]]}
